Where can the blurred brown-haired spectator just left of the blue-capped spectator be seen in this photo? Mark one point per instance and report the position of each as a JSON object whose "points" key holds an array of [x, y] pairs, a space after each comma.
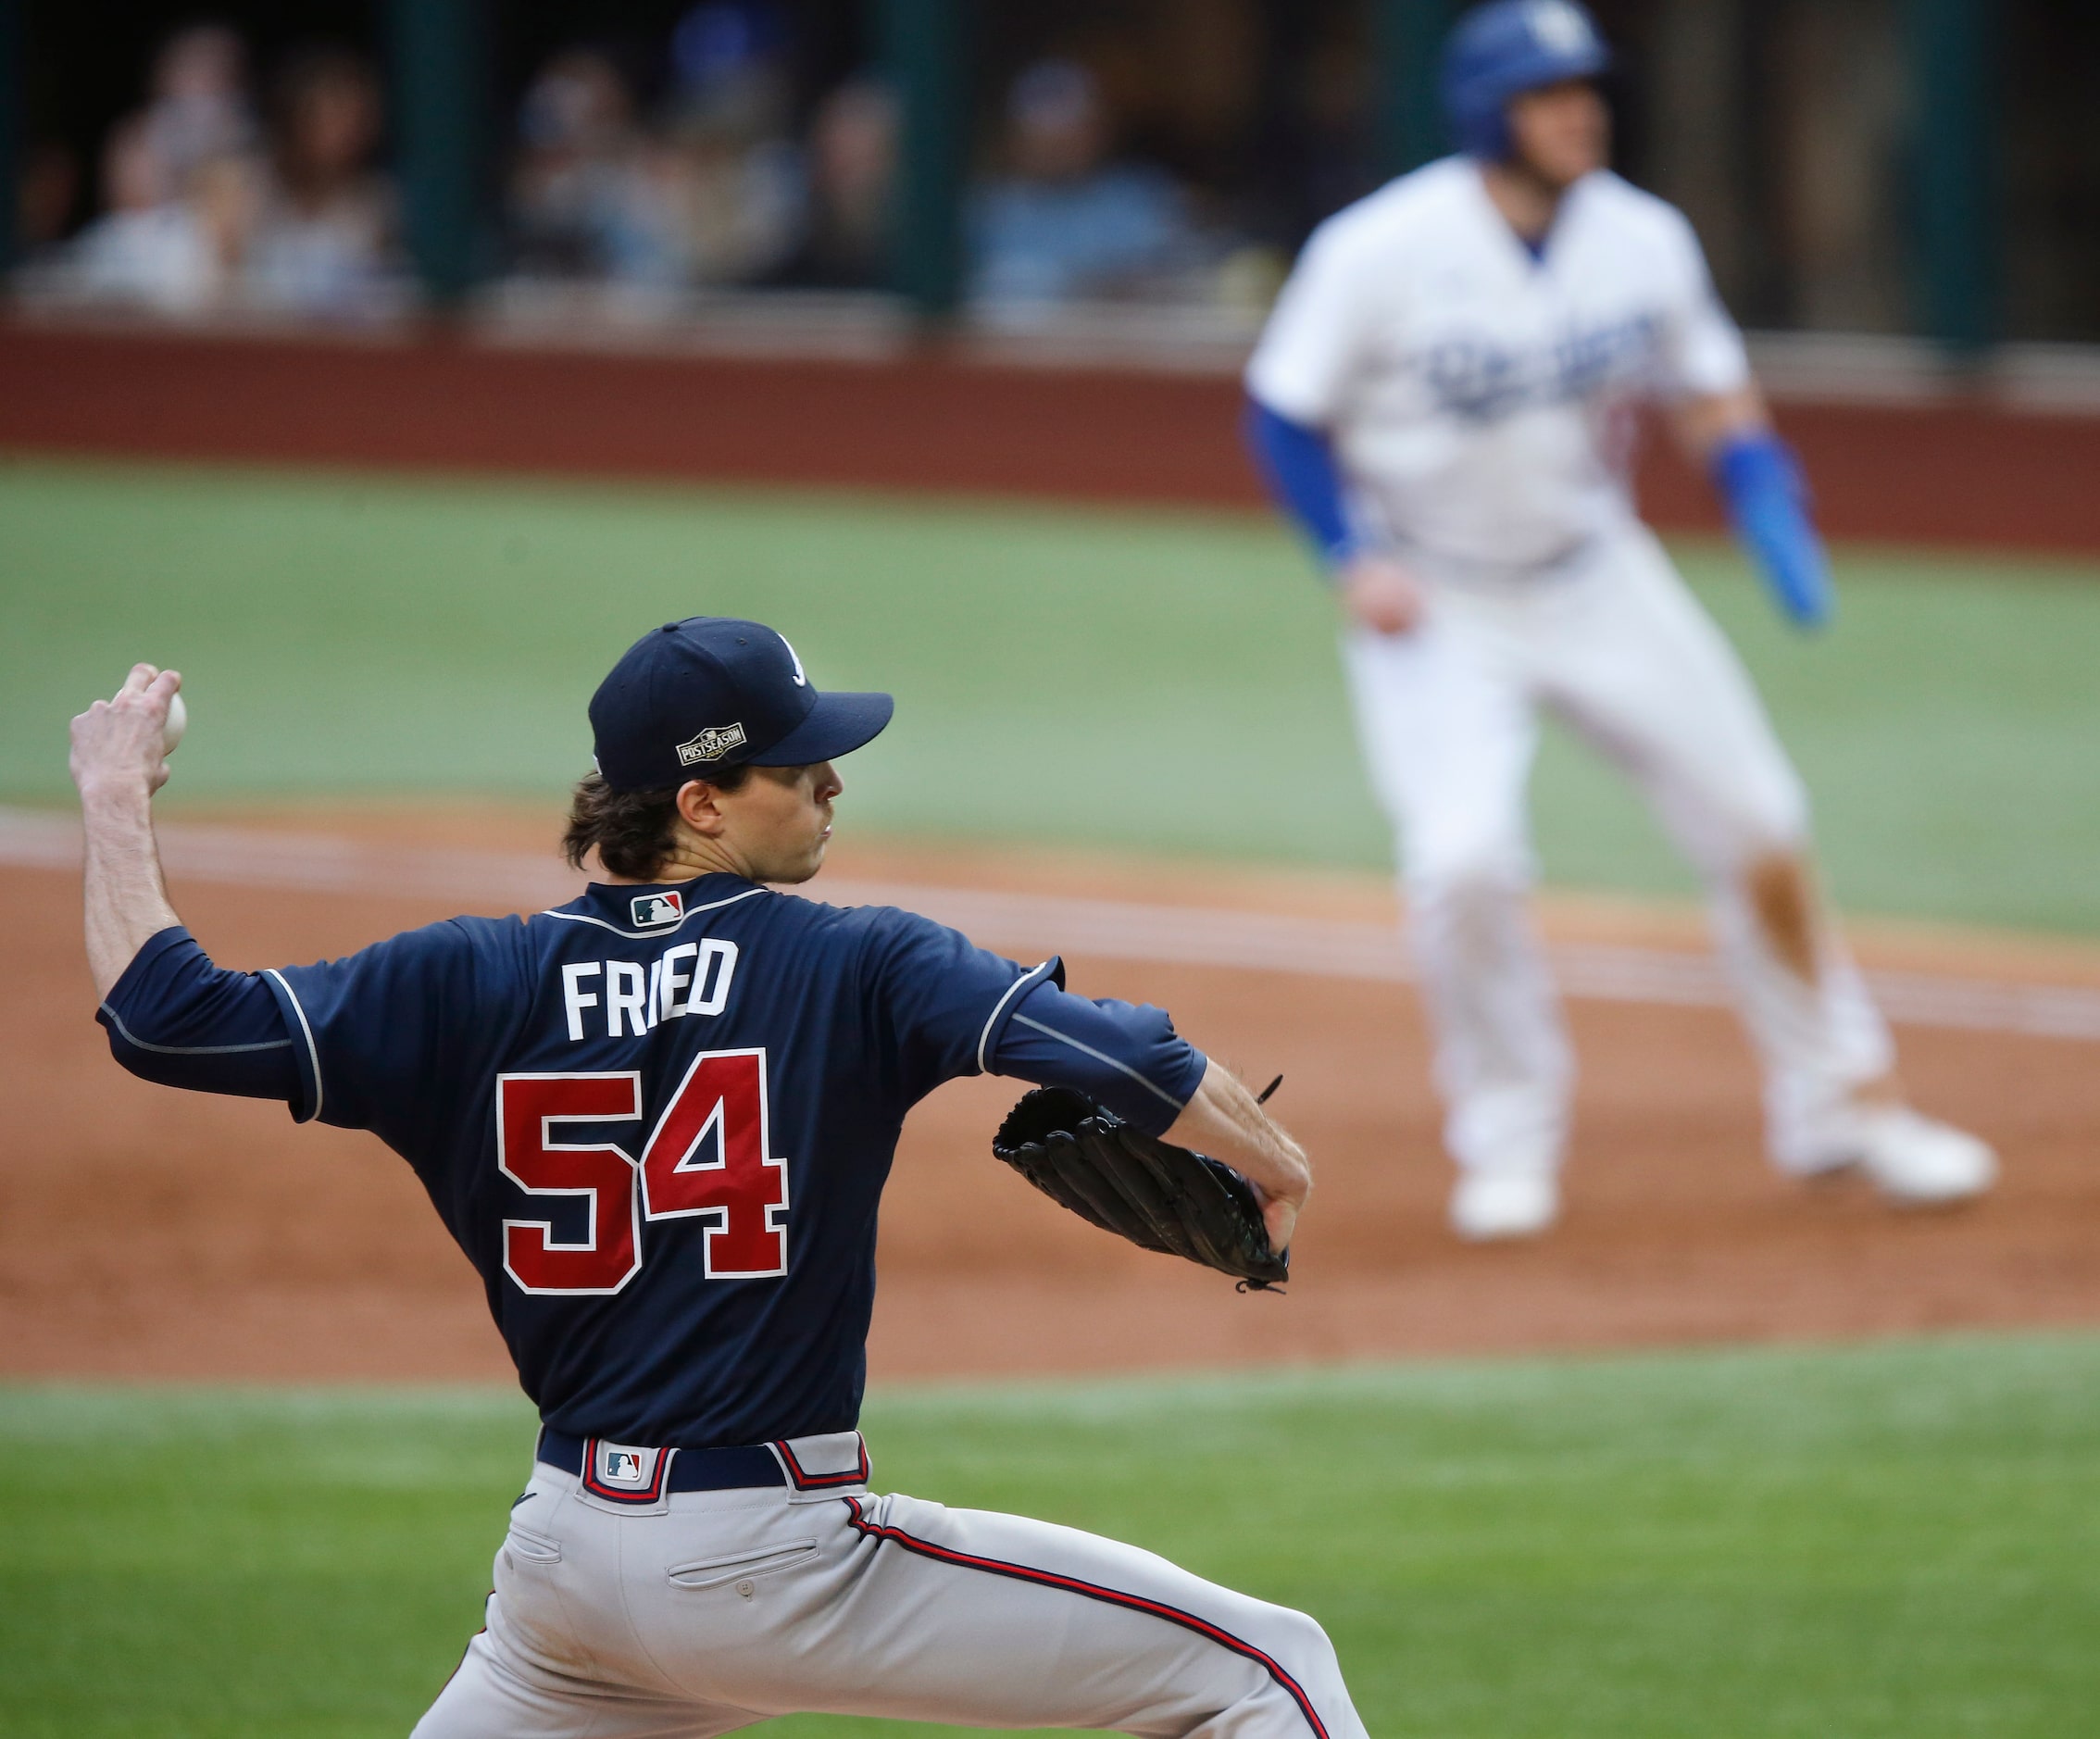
{"points": [[591, 196]]}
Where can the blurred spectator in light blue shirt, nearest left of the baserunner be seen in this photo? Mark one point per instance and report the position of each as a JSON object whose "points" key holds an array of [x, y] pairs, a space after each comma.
{"points": [[1066, 222]]}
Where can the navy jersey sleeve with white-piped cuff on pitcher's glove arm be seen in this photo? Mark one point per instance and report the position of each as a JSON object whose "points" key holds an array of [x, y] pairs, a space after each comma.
{"points": [[944, 1001]]}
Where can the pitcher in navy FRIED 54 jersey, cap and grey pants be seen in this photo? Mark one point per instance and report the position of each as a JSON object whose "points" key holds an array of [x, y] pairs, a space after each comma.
{"points": [[658, 1120]]}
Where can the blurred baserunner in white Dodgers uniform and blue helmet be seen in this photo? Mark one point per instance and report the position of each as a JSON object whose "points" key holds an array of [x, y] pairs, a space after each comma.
{"points": [[1444, 400]]}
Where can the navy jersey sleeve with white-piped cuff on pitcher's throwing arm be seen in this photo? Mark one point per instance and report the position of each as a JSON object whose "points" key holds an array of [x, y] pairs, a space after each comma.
{"points": [[383, 1034]]}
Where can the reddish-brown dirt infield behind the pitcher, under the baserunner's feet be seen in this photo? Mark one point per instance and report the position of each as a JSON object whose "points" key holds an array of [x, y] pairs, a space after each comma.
{"points": [[154, 1234]]}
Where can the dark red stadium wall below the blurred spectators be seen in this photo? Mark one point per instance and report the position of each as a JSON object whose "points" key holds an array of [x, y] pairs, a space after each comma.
{"points": [[1952, 472]]}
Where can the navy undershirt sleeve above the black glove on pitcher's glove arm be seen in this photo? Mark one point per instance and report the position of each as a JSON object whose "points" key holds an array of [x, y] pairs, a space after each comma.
{"points": [[1118, 1053]]}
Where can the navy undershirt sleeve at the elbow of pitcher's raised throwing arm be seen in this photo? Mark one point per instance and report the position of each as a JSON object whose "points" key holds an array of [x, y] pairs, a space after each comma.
{"points": [[182, 1022]]}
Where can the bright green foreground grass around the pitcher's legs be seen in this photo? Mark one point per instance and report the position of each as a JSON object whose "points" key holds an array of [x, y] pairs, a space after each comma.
{"points": [[1891, 1541]]}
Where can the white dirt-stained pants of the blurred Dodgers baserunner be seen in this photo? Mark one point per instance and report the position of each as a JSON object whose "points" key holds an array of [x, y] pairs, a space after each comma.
{"points": [[1629, 658]]}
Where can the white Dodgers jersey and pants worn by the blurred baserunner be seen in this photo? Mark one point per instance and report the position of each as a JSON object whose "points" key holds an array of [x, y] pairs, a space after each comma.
{"points": [[1482, 402]]}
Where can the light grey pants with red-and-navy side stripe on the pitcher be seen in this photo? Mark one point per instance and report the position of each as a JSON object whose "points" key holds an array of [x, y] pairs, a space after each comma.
{"points": [[730, 1608]]}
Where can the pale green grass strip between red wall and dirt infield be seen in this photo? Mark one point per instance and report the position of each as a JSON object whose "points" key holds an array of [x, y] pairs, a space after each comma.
{"points": [[1162, 682]]}
